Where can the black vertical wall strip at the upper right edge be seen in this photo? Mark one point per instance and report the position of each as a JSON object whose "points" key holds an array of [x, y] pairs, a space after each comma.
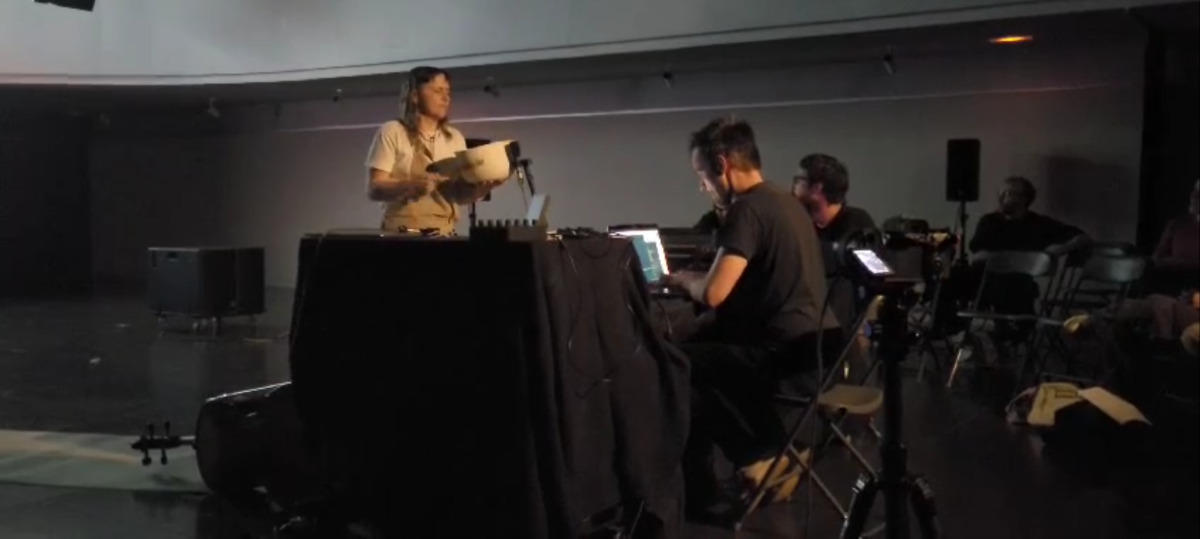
{"points": [[1172, 119]]}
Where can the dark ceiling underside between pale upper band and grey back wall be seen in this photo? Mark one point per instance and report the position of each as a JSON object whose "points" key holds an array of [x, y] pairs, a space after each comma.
{"points": [[1076, 31]]}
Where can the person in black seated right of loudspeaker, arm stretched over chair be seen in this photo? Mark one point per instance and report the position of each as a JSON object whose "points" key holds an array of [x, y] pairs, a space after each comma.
{"points": [[1015, 227]]}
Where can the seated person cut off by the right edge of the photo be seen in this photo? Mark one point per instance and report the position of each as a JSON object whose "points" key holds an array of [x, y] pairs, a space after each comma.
{"points": [[1178, 255]]}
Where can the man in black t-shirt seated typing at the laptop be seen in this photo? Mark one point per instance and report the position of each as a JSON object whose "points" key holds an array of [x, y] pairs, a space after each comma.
{"points": [[765, 289]]}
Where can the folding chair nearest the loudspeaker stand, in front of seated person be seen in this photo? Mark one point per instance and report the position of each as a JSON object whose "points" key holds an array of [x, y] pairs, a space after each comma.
{"points": [[1009, 263]]}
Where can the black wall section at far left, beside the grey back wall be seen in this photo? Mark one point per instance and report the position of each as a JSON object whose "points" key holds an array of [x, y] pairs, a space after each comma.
{"points": [[45, 211]]}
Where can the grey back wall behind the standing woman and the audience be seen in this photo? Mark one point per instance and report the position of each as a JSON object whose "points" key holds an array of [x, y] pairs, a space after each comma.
{"points": [[614, 152]]}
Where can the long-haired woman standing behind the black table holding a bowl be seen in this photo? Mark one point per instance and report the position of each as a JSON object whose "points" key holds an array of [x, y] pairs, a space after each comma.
{"points": [[415, 197]]}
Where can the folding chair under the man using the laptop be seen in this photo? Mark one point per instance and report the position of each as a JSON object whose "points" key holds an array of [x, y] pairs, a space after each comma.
{"points": [[836, 403]]}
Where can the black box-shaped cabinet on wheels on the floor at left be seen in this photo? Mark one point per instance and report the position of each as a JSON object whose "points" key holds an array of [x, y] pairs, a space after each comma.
{"points": [[207, 283]]}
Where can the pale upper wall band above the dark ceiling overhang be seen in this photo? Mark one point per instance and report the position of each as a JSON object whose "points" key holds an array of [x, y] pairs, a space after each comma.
{"points": [[230, 41]]}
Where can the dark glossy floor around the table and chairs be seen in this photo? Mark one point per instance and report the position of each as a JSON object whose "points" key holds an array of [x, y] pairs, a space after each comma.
{"points": [[103, 366]]}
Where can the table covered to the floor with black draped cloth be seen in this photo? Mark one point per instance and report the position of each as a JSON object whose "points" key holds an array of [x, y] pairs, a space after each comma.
{"points": [[459, 388]]}
